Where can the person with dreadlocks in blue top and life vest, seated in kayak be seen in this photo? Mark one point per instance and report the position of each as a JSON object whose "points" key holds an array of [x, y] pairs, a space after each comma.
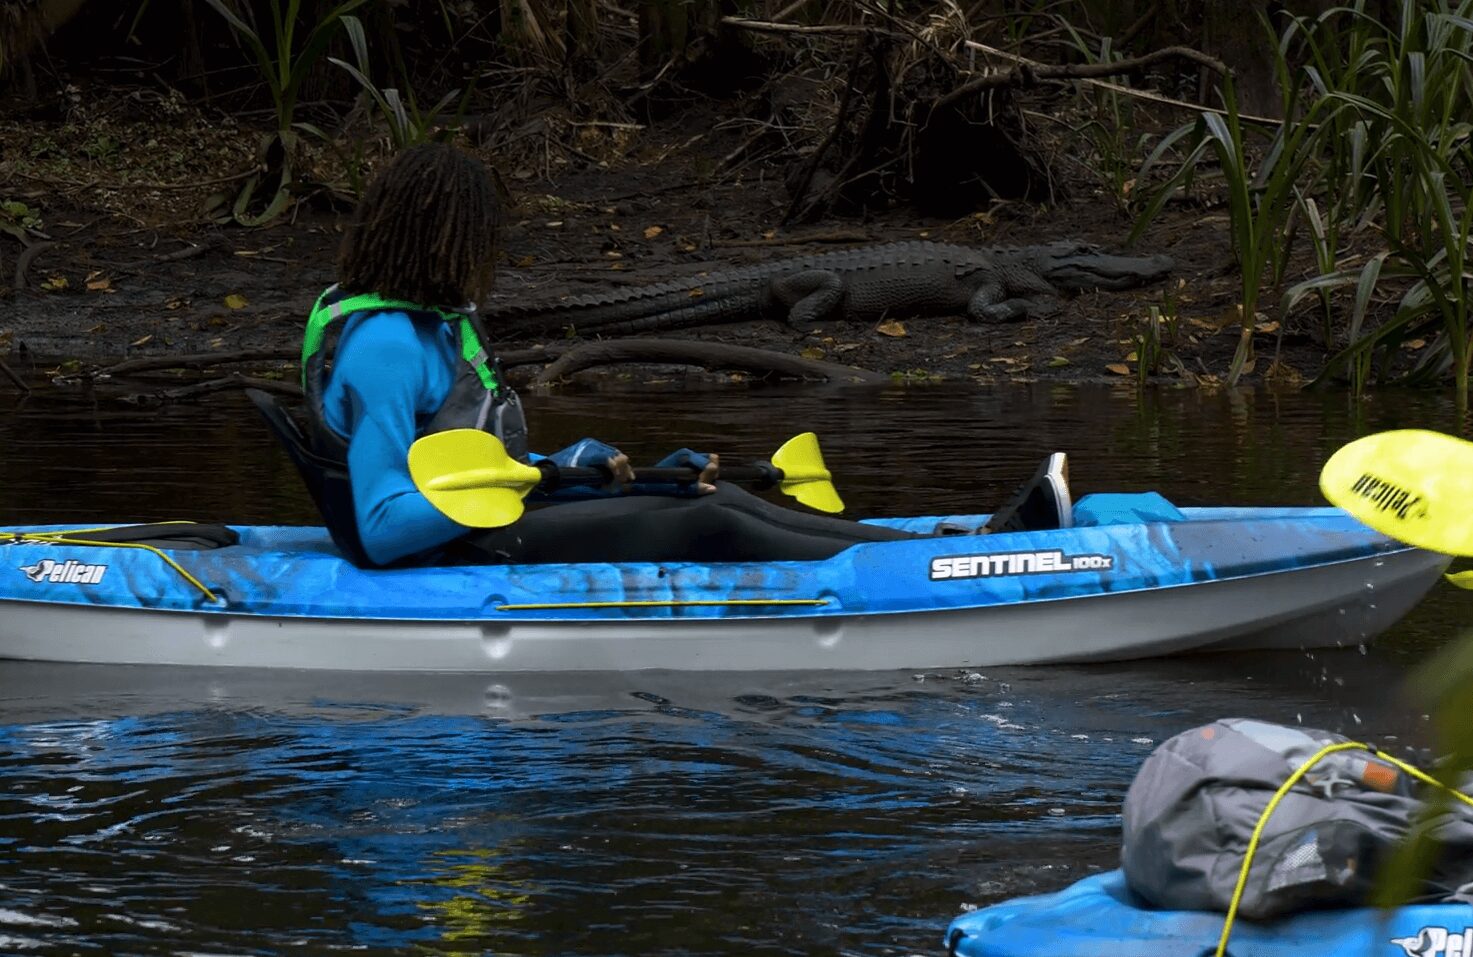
{"points": [[412, 359]]}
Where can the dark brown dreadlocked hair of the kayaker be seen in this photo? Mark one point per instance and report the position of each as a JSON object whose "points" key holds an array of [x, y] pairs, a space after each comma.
{"points": [[425, 232]]}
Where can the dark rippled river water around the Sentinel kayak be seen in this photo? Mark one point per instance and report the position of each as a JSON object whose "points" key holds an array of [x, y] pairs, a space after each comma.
{"points": [[213, 812]]}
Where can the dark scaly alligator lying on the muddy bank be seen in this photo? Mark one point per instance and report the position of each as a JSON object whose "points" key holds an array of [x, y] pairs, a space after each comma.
{"points": [[864, 285]]}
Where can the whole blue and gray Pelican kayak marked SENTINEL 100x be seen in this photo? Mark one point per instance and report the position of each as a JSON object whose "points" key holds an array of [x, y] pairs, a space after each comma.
{"points": [[284, 597]]}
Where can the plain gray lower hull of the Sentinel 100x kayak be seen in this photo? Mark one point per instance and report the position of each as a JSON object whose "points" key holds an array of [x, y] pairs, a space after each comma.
{"points": [[1334, 604]]}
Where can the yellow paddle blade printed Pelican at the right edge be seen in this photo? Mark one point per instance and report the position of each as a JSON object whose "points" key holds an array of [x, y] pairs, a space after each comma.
{"points": [[1412, 485]]}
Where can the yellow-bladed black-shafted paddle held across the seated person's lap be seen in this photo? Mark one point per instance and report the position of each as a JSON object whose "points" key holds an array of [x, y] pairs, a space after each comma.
{"points": [[468, 475]]}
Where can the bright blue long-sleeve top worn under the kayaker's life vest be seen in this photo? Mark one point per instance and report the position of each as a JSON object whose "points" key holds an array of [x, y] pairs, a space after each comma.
{"points": [[390, 376]]}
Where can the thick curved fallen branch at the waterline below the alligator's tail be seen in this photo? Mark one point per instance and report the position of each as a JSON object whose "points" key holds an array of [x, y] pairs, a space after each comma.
{"points": [[705, 354]]}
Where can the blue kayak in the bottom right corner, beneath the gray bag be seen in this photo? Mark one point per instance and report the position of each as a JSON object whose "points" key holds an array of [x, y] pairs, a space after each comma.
{"points": [[1101, 918]]}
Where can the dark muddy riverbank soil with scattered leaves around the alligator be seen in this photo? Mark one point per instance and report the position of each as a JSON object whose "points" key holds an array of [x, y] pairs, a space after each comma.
{"points": [[133, 272]]}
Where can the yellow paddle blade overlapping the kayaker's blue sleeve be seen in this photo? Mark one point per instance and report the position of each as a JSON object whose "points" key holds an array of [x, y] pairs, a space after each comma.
{"points": [[468, 475]]}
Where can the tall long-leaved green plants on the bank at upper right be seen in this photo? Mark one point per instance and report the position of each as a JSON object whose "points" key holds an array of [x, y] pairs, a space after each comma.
{"points": [[1378, 142]]}
